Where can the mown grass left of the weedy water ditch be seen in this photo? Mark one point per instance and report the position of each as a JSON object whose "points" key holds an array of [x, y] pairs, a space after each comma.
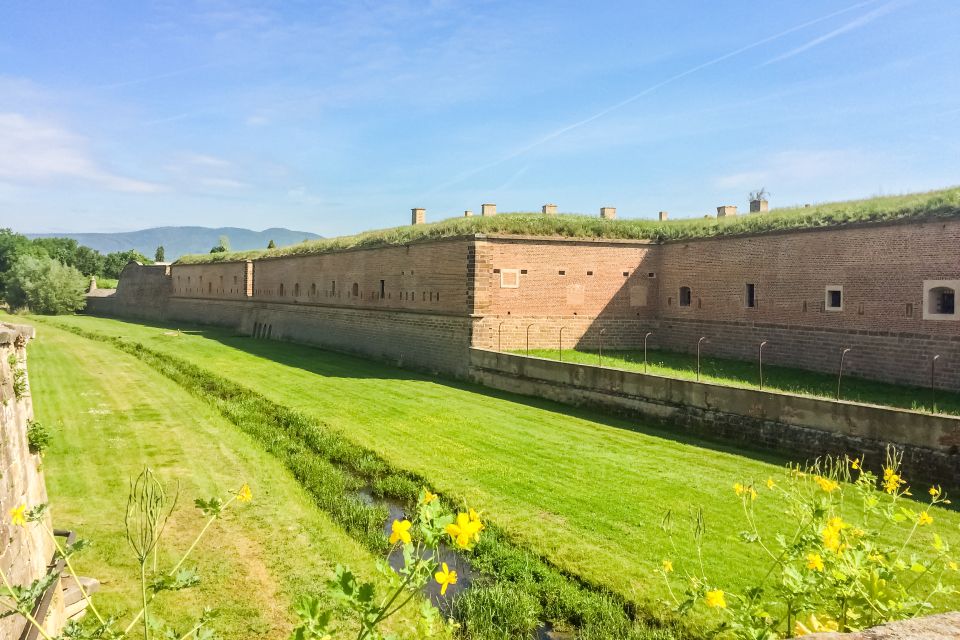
{"points": [[110, 416]]}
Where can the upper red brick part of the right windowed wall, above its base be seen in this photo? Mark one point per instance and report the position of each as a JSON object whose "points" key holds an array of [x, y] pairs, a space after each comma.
{"points": [[881, 269]]}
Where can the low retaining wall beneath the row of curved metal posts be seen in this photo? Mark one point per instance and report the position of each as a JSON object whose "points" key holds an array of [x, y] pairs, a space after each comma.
{"points": [[801, 426]]}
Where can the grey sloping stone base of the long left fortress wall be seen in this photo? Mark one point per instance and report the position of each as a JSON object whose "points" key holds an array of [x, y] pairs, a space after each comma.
{"points": [[432, 342]]}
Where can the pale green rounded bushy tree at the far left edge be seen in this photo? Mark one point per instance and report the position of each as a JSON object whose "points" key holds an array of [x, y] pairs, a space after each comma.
{"points": [[44, 285]]}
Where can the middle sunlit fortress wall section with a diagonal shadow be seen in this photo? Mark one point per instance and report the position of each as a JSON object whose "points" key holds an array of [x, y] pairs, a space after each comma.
{"points": [[581, 286]]}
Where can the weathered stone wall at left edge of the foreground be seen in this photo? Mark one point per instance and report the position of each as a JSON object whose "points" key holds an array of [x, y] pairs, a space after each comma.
{"points": [[26, 550]]}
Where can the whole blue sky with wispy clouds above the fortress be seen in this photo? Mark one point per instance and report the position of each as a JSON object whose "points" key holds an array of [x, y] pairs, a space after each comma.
{"points": [[335, 117]]}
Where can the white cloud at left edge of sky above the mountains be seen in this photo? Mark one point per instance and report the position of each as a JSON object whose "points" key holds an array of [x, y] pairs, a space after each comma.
{"points": [[33, 151]]}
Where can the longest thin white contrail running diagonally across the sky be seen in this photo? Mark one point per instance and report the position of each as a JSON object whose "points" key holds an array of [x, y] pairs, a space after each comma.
{"points": [[559, 132]]}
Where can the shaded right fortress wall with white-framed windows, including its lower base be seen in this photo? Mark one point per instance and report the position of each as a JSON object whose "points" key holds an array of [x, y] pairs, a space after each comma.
{"points": [[882, 269]]}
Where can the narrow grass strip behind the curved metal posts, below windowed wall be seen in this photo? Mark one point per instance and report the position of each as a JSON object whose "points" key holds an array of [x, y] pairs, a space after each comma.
{"points": [[738, 373]]}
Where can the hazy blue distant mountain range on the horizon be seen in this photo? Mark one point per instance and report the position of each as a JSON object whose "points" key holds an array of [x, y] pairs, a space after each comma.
{"points": [[178, 241]]}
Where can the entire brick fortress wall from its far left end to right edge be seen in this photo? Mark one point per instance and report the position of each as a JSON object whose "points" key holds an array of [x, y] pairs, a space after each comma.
{"points": [[505, 284]]}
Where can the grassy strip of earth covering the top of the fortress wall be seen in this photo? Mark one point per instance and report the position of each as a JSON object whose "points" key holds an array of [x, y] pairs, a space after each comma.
{"points": [[933, 204]]}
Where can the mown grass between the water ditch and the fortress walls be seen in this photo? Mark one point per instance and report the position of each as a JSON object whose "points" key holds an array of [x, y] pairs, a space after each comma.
{"points": [[584, 490]]}
